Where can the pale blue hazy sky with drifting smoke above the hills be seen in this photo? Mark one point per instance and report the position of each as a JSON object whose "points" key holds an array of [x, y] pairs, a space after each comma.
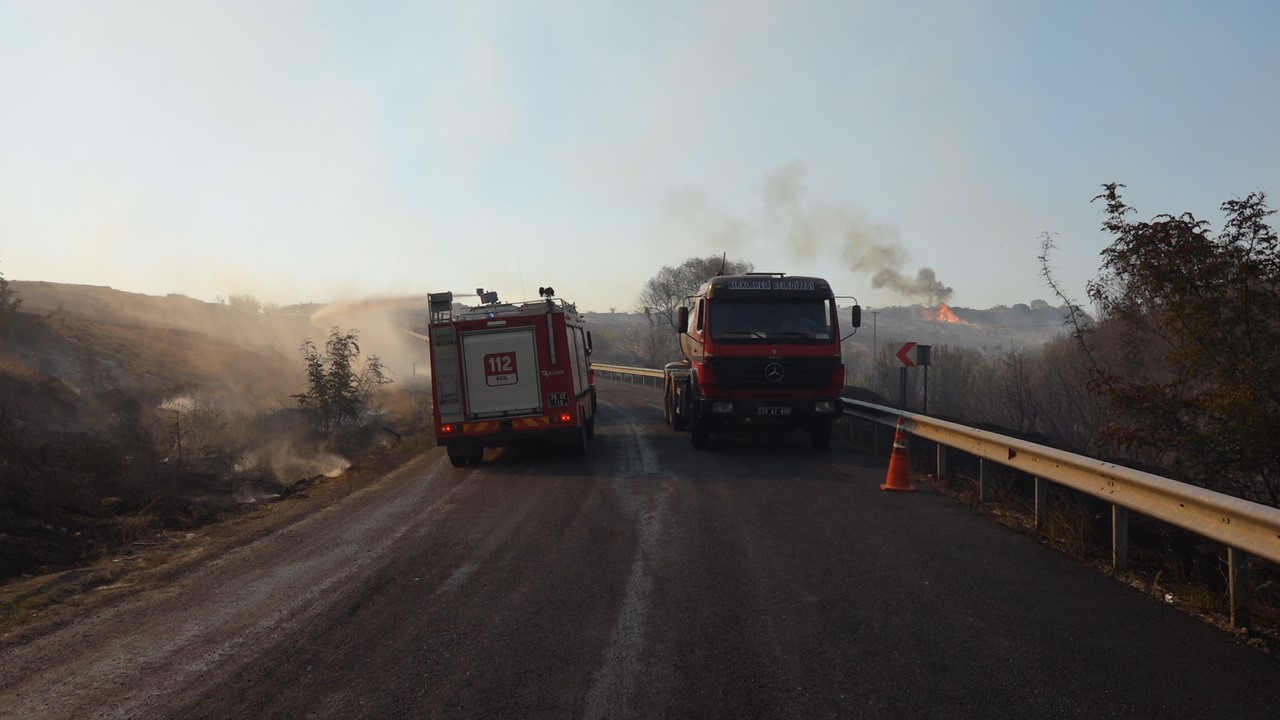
{"points": [[313, 152]]}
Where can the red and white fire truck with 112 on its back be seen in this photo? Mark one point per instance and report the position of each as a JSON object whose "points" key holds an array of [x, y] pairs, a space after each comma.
{"points": [[510, 373]]}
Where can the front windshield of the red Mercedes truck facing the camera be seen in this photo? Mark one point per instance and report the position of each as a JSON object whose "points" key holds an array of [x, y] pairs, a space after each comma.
{"points": [[787, 321]]}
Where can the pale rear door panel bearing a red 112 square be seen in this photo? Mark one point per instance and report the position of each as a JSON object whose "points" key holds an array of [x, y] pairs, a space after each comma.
{"points": [[501, 372]]}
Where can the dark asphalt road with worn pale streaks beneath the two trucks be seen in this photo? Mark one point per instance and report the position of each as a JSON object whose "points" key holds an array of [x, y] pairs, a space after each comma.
{"points": [[753, 580]]}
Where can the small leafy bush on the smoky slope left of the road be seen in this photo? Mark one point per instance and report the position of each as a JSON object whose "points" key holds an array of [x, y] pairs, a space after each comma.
{"points": [[337, 391]]}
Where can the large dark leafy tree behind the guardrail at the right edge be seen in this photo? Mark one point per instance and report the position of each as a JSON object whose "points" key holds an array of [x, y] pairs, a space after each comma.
{"points": [[1188, 350]]}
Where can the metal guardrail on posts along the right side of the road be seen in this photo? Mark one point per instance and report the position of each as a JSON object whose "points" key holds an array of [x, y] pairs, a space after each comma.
{"points": [[1244, 527]]}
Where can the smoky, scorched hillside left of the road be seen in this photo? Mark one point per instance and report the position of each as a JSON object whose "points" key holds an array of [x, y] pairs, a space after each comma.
{"points": [[125, 414]]}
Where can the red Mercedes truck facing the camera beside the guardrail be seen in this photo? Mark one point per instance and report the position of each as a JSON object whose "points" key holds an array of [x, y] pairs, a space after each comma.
{"points": [[762, 352]]}
